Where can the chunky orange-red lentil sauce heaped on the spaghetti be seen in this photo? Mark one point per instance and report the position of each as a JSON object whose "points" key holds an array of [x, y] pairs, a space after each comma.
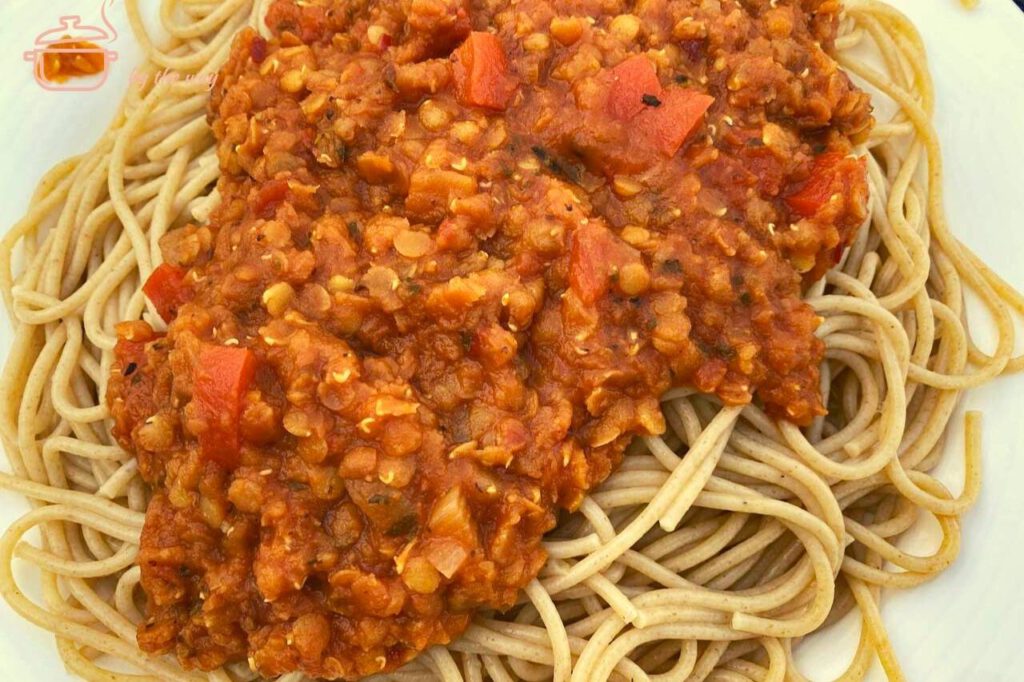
{"points": [[453, 273]]}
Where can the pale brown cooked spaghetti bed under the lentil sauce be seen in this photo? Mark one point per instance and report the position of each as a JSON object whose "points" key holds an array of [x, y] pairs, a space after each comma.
{"points": [[706, 567]]}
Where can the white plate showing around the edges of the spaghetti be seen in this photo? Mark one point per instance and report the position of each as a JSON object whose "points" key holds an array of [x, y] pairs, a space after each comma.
{"points": [[960, 627]]}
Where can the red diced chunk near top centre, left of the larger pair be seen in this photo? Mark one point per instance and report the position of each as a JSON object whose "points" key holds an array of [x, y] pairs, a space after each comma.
{"points": [[482, 72]]}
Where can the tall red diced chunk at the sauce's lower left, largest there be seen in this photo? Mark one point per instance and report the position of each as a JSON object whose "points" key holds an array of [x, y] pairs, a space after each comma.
{"points": [[223, 377]]}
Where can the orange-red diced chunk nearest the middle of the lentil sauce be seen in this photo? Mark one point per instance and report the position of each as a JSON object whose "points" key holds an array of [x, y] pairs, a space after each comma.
{"points": [[595, 254]]}
